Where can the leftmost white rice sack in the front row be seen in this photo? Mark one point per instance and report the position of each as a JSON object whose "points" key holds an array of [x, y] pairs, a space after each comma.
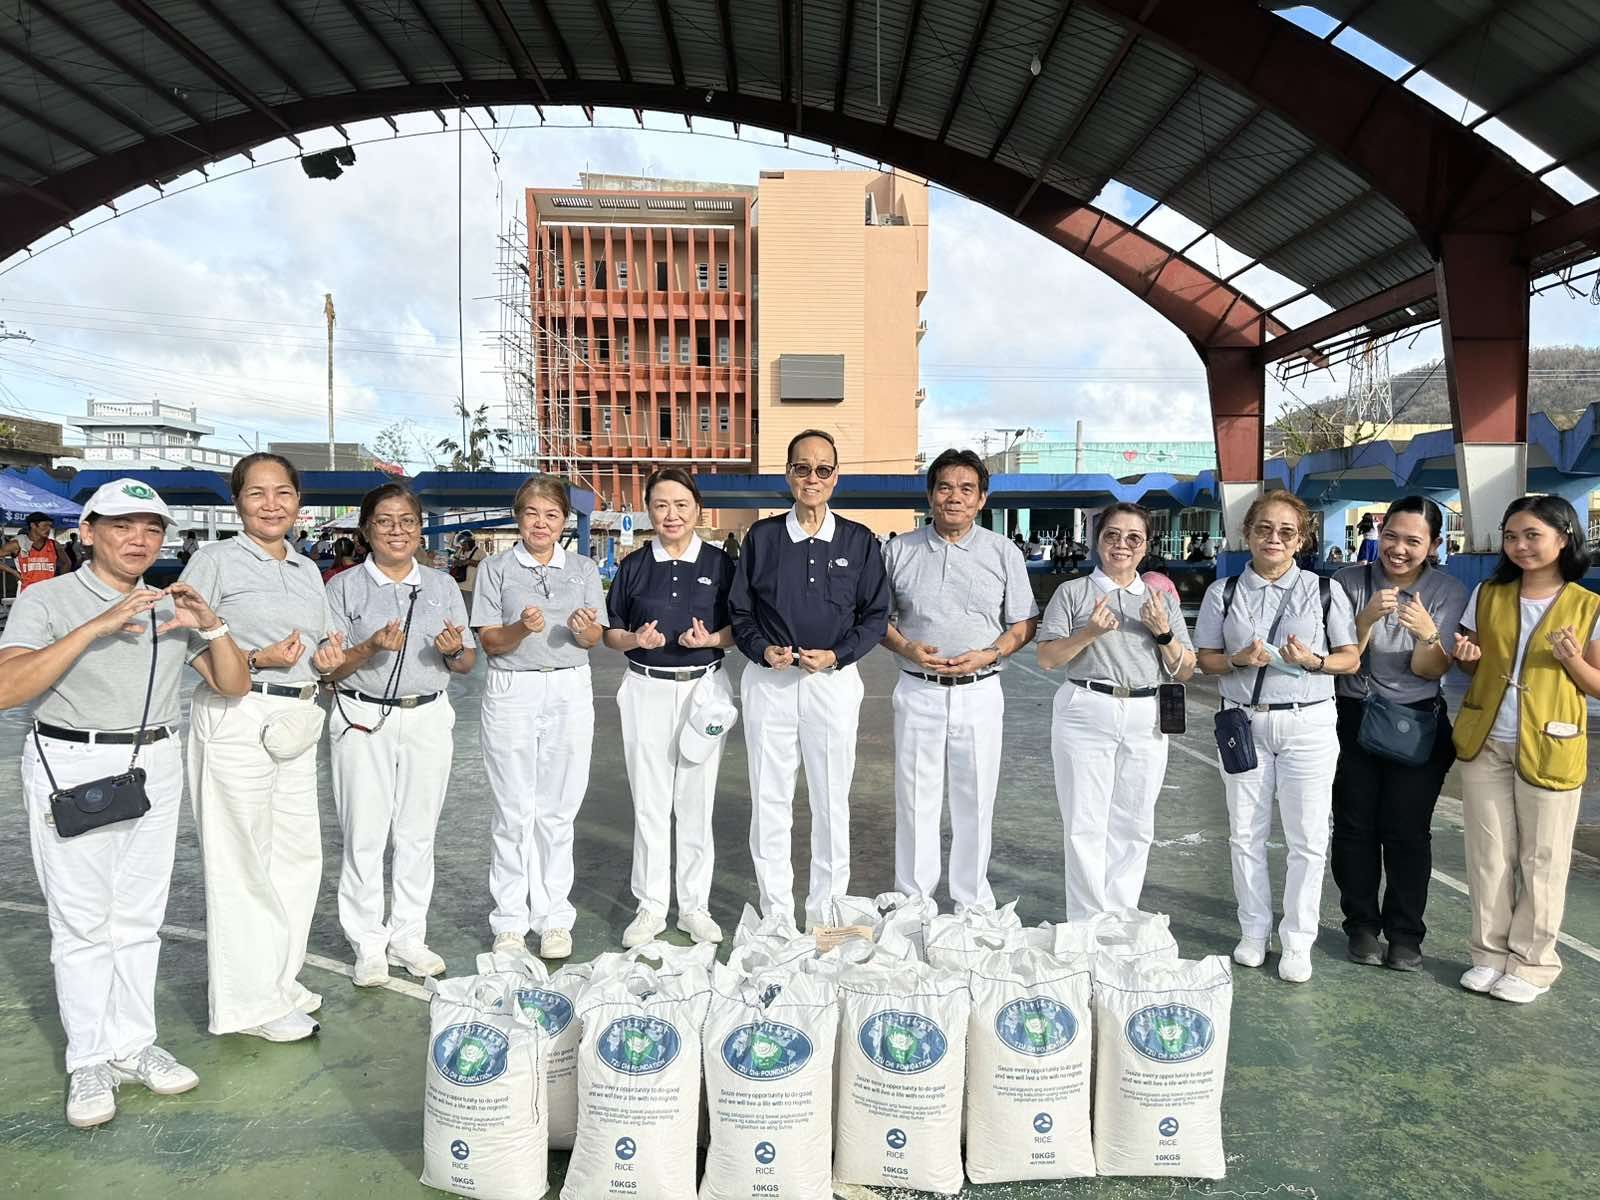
{"points": [[484, 1116]]}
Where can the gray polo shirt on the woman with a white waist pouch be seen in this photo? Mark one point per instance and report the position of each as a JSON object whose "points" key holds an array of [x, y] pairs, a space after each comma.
{"points": [[263, 601]]}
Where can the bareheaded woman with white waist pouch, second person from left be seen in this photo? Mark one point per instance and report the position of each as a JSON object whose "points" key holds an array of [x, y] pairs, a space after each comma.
{"points": [[254, 761]]}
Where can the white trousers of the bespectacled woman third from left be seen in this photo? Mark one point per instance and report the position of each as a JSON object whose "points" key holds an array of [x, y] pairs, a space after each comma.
{"points": [[390, 786]]}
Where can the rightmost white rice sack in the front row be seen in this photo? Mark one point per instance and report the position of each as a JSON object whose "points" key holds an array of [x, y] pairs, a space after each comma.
{"points": [[1161, 1063]]}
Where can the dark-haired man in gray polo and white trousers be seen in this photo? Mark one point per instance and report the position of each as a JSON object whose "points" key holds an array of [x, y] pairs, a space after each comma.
{"points": [[962, 604]]}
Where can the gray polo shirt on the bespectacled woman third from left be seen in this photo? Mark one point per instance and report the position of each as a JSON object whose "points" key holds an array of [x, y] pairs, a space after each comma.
{"points": [[364, 601]]}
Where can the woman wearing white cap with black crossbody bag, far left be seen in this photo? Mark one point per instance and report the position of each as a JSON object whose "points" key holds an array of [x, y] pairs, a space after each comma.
{"points": [[100, 658]]}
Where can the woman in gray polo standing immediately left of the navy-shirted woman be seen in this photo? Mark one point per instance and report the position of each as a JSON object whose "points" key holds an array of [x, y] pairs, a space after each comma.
{"points": [[538, 612]]}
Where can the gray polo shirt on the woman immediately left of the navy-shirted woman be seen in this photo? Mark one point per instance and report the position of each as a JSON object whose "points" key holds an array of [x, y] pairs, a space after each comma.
{"points": [[513, 580]]}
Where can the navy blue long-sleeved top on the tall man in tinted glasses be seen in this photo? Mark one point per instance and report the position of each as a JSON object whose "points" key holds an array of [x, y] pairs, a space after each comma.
{"points": [[810, 593]]}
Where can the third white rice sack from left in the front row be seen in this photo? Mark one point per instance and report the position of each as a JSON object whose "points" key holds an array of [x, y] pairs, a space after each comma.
{"points": [[770, 1087]]}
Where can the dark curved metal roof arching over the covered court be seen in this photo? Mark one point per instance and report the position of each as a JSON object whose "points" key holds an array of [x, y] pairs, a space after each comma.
{"points": [[1289, 150]]}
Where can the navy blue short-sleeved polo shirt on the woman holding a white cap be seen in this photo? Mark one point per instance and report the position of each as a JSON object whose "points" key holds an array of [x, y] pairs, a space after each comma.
{"points": [[673, 593]]}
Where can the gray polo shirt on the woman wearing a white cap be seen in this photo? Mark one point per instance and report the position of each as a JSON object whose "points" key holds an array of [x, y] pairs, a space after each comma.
{"points": [[105, 689]]}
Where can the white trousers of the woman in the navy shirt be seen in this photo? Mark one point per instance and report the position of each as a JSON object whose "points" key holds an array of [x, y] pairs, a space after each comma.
{"points": [[665, 785]]}
